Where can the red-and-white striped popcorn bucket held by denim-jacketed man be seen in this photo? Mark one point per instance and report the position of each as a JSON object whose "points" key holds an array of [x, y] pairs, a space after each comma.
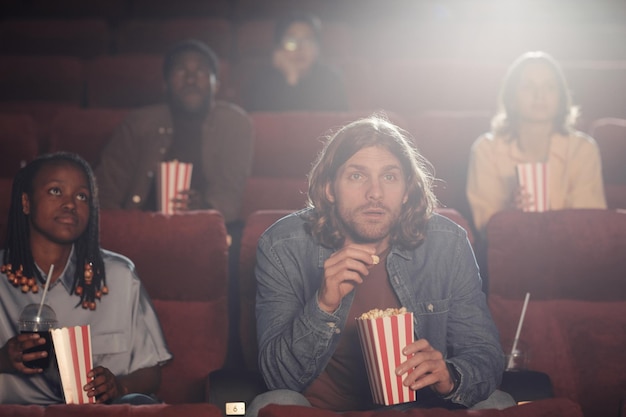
{"points": [[382, 340]]}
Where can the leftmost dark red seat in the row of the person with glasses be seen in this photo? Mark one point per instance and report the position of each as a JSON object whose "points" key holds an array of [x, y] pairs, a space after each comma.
{"points": [[47, 78]]}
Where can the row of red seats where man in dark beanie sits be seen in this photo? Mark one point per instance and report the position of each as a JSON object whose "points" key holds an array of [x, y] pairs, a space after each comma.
{"points": [[286, 145]]}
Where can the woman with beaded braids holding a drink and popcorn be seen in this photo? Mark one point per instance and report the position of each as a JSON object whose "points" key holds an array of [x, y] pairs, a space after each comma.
{"points": [[54, 220]]}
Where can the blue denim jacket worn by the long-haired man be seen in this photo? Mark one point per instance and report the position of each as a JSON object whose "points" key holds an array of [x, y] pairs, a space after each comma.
{"points": [[438, 281]]}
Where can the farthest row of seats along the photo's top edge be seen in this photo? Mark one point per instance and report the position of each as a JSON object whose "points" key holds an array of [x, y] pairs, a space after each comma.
{"points": [[482, 10]]}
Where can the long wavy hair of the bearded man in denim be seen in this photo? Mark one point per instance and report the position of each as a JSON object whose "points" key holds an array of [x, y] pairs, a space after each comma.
{"points": [[409, 231]]}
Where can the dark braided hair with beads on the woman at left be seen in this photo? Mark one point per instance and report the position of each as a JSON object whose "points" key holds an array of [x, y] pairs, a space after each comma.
{"points": [[18, 263]]}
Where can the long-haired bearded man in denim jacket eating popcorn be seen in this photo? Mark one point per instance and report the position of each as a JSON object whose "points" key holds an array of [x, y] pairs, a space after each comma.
{"points": [[370, 199]]}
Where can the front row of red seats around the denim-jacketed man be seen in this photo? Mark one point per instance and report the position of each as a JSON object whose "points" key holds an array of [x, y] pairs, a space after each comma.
{"points": [[570, 261]]}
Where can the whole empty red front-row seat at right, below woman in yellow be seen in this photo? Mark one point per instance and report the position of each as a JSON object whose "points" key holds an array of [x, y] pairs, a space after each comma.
{"points": [[573, 265]]}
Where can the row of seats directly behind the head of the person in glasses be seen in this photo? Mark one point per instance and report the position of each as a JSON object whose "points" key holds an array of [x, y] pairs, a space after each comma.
{"points": [[253, 38]]}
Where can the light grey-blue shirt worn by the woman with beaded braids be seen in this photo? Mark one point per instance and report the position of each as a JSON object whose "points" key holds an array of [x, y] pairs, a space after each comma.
{"points": [[125, 332]]}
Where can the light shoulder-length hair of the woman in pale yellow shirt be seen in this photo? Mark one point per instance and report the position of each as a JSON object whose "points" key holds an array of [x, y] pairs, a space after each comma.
{"points": [[506, 121]]}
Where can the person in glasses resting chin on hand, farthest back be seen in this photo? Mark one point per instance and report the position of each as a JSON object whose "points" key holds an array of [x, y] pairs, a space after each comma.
{"points": [[297, 78]]}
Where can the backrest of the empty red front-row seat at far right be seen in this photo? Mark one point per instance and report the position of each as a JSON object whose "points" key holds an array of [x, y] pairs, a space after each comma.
{"points": [[564, 254]]}
